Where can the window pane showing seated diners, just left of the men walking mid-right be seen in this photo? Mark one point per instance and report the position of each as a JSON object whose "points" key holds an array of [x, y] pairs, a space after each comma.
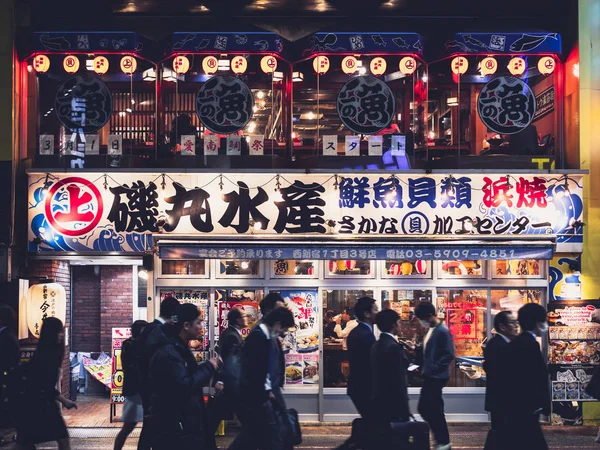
{"points": [[339, 320]]}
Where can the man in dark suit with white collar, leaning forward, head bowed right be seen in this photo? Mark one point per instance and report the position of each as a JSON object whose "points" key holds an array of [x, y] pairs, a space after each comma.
{"points": [[261, 385]]}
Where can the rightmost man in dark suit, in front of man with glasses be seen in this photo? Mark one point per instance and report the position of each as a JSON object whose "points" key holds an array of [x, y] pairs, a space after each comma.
{"points": [[527, 389]]}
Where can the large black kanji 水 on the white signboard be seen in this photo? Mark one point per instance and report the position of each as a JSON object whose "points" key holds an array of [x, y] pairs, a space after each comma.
{"points": [[244, 206]]}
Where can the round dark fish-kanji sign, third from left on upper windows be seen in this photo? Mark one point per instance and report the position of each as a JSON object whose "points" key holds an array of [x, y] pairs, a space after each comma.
{"points": [[366, 105]]}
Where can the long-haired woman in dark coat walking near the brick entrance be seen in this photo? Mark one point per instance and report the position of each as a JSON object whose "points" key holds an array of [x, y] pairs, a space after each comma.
{"points": [[41, 419]]}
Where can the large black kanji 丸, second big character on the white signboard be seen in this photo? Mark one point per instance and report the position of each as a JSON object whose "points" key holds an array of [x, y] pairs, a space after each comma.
{"points": [[198, 211]]}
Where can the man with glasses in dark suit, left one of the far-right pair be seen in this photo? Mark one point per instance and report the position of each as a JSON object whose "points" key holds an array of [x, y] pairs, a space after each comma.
{"points": [[494, 364]]}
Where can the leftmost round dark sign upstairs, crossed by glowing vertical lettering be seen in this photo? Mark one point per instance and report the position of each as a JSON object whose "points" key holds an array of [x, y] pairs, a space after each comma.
{"points": [[83, 102]]}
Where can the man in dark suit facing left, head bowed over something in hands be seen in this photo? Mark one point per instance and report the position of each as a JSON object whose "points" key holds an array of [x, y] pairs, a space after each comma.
{"points": [[438, 353]]}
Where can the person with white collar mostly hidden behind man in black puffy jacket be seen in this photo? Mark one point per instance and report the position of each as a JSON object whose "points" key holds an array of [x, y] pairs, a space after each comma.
{"points": [[149, 339]]}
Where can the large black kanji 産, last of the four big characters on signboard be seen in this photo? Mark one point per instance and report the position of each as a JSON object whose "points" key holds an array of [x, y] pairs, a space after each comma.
{"points": [[299, 211]]}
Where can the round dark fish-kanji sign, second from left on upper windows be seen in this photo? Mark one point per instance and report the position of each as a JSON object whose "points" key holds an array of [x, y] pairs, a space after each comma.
{"points": [[224, 104]]}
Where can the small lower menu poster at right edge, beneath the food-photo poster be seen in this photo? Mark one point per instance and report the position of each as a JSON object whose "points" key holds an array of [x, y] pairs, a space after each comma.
{"points": [[569, 382]]}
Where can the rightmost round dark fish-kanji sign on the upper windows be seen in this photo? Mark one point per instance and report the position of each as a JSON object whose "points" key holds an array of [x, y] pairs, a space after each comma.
{"points": [[506, 105]]}
